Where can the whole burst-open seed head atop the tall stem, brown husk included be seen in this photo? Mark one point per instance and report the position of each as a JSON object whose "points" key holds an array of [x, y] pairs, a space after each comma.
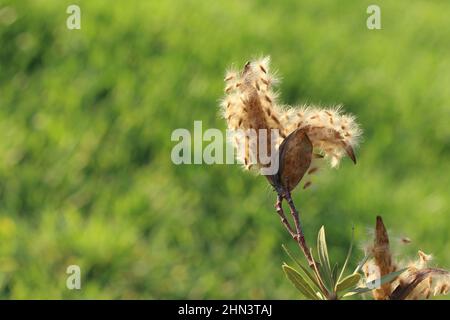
{"points": [[250, 103]]}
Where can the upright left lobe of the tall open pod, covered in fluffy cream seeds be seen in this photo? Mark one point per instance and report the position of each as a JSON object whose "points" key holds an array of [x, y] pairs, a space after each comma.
{"points": [[250, 103]]}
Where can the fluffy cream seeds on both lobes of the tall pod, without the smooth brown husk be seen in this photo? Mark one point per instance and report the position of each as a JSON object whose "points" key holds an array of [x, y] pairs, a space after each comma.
{"points": [[251, 103]]}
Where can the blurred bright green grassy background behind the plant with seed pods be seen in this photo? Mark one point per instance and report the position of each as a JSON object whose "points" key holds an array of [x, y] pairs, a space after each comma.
{"points": [[86, 118]]}
